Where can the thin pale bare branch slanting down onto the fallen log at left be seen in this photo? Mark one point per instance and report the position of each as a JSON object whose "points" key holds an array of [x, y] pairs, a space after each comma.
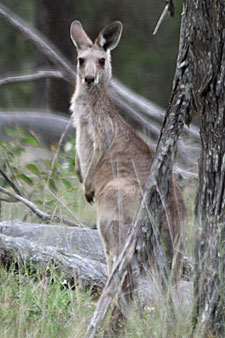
{"points": [[44, 216]]}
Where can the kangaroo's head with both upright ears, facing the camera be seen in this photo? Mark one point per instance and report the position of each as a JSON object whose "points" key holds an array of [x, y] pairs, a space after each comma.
{"points": [[93, 61]]}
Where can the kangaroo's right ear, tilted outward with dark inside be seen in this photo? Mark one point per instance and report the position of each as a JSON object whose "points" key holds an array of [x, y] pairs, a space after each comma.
{"points": [[109, 37]]}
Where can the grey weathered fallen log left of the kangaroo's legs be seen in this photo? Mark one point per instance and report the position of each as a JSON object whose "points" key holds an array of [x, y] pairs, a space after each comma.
{"points": [[75, 253]]}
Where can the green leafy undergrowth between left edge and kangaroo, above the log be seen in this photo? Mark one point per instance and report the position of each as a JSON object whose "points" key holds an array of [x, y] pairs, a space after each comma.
{"points": [[54, 188]]}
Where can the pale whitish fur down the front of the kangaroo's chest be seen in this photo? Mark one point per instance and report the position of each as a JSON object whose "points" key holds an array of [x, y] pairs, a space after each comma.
{"points": [[82, 121]]}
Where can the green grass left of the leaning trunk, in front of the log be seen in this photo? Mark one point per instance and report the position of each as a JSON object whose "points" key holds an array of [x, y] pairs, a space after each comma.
{"points": [[35, 306]]}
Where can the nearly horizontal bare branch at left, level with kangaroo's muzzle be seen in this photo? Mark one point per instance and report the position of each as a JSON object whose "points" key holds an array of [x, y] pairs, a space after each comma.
{"points": [[40, 74]]}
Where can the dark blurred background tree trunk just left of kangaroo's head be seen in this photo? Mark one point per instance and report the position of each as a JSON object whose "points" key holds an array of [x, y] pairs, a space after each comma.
{"points": [[54, 20]]}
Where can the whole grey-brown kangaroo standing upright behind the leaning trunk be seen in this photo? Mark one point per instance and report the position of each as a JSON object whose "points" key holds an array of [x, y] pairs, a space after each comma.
{"points": [[112, 161]]}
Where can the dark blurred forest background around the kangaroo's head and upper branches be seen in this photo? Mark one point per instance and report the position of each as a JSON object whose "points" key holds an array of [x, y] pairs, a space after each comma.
{"points": [[145, 63]]}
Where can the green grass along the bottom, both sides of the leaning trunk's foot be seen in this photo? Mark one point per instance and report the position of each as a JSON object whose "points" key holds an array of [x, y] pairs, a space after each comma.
{"points": [[37, 305]]}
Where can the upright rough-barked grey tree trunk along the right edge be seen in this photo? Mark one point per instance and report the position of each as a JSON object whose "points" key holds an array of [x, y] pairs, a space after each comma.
{"points": [[206, 22]]}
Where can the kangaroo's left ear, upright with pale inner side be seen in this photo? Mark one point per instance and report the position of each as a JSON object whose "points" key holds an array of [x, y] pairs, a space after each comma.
{"points": [[78, 36]]}
